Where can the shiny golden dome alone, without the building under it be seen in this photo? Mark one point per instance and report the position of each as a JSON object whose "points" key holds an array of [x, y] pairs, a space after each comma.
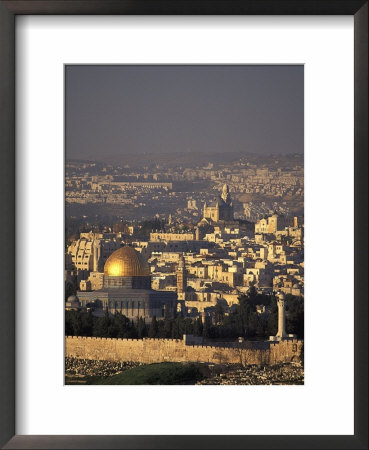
{"points": [[126, 262]]}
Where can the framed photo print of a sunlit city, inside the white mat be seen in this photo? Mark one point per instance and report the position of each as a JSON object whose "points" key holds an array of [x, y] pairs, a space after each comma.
{"points": [[184, 225]]}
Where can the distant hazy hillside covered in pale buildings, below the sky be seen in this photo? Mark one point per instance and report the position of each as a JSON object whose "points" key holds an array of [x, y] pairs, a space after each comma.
{"points": [[257, 187]]}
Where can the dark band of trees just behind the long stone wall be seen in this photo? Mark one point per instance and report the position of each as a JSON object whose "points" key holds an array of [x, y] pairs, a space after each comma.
{"points": [[242, 321]]}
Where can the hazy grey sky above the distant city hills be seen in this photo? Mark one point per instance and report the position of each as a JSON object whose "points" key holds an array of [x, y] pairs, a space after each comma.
{"points": [[117, 110]]}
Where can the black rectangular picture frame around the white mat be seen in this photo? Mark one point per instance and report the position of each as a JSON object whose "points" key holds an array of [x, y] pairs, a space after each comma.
{"points": [[8, 11]]}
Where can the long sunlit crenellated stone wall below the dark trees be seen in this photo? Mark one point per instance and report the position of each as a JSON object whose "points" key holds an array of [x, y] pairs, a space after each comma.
{"points": [[176, 350]]}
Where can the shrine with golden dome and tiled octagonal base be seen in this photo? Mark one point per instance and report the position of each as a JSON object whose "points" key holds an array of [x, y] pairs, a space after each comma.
{"points": [[127, 289]]}
